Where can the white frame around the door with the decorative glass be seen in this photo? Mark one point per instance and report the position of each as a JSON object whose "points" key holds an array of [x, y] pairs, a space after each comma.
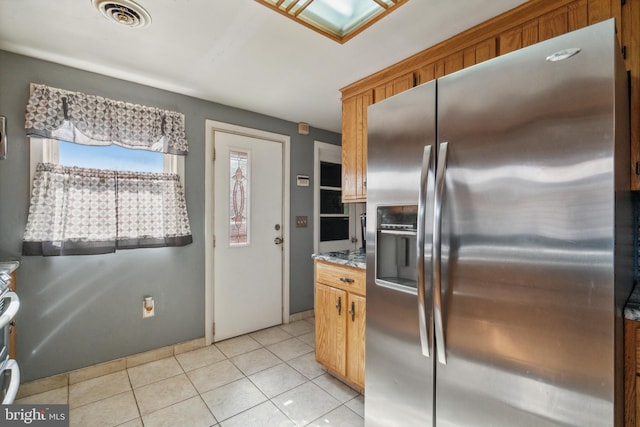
{"points": [[212, 126]]}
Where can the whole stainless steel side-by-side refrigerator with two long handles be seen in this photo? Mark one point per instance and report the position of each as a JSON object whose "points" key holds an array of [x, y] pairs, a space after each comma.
{"points": [[500, 242]]}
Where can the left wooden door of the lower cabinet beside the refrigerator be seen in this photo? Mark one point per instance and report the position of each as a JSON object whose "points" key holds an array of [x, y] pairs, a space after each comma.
{"points": [[330, 311]]}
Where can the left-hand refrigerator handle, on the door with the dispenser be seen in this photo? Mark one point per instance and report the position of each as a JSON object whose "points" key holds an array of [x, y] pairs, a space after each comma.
{"points": [[422, 209]]}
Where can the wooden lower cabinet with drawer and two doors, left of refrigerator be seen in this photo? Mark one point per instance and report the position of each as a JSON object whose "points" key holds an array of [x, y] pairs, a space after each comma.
{"points": [[340, 307]]}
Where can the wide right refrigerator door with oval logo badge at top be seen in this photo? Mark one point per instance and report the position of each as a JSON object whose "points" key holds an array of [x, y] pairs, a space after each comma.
{"points": [[528, 254]]}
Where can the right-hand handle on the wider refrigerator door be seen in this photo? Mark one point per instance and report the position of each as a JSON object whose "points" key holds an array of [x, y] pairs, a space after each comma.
{"points": [[437, 253]]}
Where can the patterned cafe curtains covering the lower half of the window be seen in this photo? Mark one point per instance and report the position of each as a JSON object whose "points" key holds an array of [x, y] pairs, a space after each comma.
{"points": [[80, 211]]}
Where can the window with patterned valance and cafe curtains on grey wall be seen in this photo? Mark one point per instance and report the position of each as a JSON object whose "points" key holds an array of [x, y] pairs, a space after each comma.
{"points": [[98, 180]]}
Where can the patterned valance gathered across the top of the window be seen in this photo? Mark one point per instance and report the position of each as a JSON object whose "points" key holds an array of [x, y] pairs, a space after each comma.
{"points": [[94, 120]]}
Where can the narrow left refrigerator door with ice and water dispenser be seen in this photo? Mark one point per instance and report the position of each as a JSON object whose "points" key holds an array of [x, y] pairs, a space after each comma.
{"points": [[399, 377]]}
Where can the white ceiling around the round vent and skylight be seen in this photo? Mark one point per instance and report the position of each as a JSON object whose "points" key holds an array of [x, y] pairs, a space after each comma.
{"points": [[234, 52]]}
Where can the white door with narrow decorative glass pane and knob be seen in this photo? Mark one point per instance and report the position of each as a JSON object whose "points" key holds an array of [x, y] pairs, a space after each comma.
{"points": [[248, 256]]}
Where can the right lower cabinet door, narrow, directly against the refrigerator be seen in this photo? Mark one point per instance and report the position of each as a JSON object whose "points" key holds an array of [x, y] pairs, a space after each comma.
{"points": [[356, 339]]}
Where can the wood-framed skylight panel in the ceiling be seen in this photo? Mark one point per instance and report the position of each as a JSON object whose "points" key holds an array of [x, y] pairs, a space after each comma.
{"points": [[339, 20]]}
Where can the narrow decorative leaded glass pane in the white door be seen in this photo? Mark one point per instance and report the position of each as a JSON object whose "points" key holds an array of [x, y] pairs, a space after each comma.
{"points": [[239, 189]]}
